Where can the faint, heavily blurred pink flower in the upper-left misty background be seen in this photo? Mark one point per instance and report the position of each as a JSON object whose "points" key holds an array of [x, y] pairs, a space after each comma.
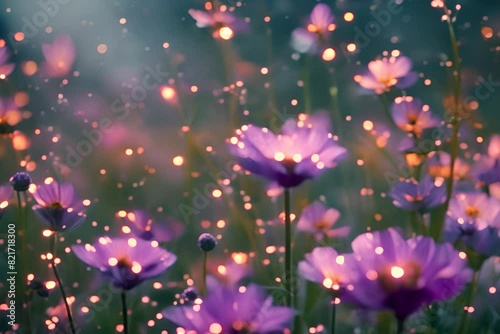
{"points": [[59, 57]]}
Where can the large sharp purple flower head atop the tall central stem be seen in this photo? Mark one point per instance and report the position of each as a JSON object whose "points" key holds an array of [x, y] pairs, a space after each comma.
{"points": [[303, 150]]}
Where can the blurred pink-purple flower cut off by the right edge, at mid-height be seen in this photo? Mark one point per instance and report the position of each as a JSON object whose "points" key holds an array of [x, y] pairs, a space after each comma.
{"points": [[487, 168]]}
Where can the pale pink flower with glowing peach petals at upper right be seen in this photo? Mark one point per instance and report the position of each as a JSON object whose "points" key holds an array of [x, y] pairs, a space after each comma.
{"points": [[385, 73]]}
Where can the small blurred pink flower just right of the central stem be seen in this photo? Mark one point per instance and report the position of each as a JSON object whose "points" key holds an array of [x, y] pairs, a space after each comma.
{"points": [[317, 219]]}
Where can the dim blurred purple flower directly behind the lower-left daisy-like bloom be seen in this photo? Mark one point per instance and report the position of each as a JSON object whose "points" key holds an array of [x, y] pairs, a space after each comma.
{"points": [[142, 226]]}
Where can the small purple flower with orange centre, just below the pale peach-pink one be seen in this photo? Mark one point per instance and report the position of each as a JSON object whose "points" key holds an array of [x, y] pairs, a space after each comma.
{"points": [[411, 116]]}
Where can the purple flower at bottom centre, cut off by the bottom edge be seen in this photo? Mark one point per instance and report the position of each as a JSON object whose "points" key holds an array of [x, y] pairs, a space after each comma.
{"points": [[233, 310]]}
